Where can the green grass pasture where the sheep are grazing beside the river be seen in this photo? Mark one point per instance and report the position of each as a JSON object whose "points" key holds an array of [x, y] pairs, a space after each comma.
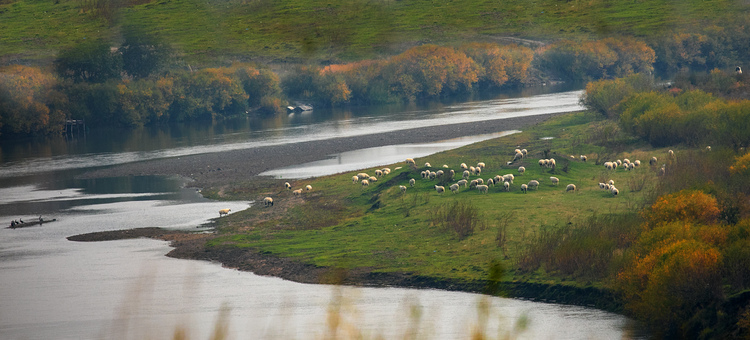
{"points": [[343, 225]]}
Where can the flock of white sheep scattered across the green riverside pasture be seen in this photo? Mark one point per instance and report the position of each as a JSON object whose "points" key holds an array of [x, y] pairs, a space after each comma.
{"points": [[482, 185]]}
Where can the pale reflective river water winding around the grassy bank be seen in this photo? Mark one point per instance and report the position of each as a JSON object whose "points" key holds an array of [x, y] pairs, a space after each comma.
{"points": [[57, 289]]}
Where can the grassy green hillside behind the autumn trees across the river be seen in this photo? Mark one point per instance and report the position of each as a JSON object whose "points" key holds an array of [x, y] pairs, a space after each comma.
{"points": [[334, 30]]}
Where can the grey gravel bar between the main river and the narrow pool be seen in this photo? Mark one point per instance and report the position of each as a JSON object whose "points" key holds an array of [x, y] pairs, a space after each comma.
{"points": [[222, 168]]}
